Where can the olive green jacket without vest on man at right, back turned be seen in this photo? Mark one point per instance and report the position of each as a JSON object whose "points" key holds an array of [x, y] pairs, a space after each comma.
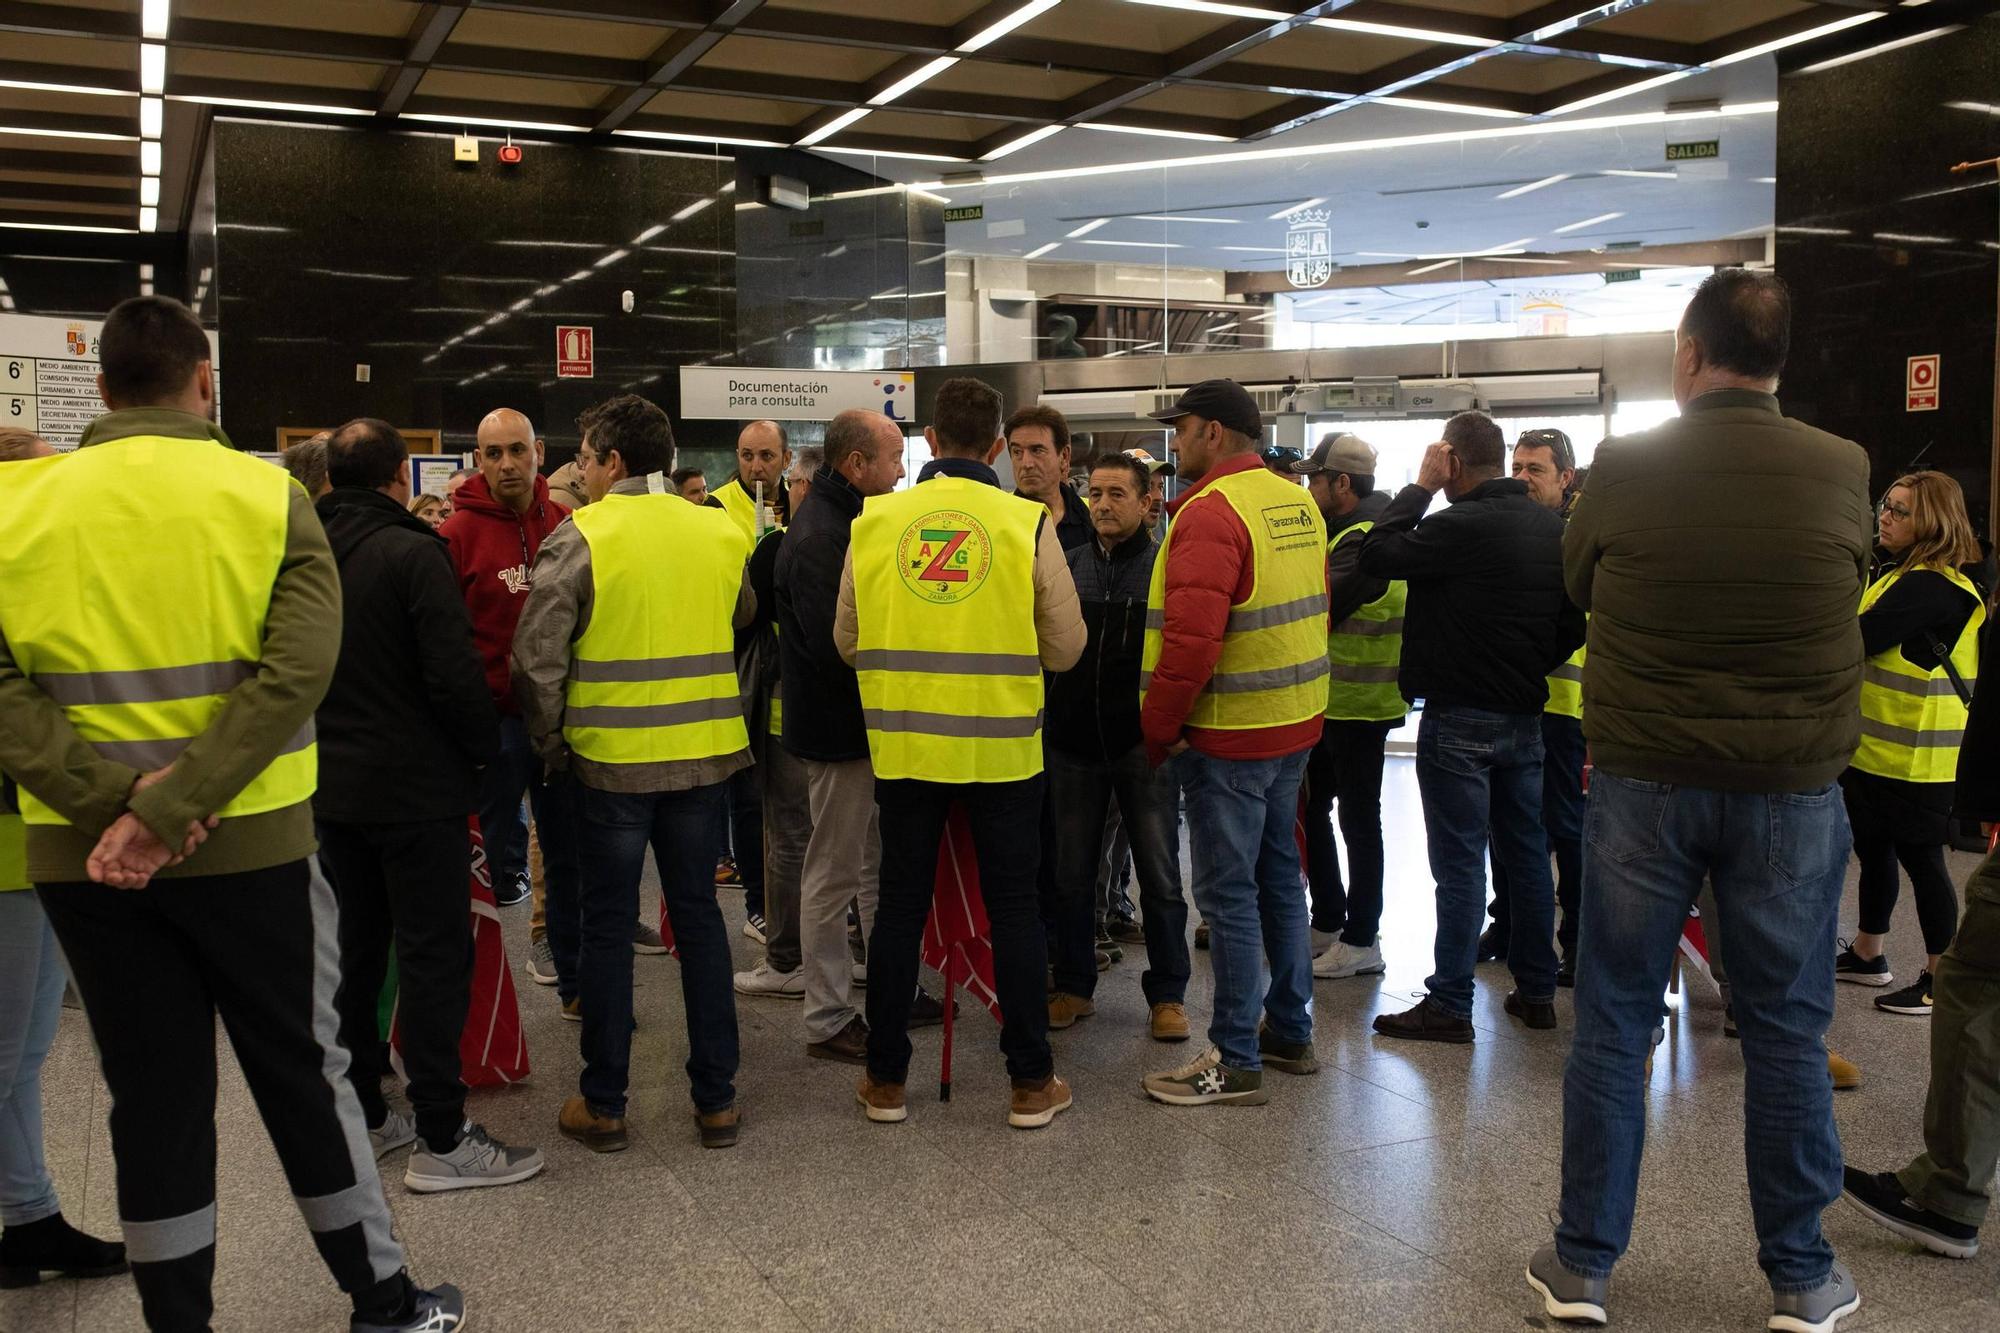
{"points": [[1723, 559]]}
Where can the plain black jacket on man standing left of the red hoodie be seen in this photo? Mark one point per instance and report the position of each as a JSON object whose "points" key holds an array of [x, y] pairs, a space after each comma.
{"points": [[409, 718]]}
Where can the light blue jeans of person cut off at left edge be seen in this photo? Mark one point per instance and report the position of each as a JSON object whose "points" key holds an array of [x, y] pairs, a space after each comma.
{"points": [[31, 1002]]}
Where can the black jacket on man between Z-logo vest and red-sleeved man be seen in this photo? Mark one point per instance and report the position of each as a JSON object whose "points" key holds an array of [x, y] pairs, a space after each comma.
{"points": [[1093, 708]]}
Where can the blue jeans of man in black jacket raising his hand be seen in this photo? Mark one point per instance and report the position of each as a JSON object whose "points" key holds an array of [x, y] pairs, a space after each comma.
{"points": [[1481, 778]]}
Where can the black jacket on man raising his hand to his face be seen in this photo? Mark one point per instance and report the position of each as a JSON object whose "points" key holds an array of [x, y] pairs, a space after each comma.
{"points": [[1487, 617]]}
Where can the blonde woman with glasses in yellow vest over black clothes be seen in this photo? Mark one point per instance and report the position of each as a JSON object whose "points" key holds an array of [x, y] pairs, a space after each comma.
{"points": [[1921, 631]]}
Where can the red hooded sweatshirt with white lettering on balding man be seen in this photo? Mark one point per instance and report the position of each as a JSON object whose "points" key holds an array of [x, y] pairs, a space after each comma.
{"points": [[495, 549]]}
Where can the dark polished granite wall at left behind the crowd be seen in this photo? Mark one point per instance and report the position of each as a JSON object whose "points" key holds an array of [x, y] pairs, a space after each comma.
{"points": [[345, 247]]}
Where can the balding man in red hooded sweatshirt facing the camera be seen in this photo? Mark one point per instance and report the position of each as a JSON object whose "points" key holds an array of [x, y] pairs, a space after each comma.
{"points": [[495, 533]]}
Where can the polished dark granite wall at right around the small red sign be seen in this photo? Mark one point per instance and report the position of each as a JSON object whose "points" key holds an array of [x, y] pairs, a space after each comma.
{"points": [[1891, 257]]}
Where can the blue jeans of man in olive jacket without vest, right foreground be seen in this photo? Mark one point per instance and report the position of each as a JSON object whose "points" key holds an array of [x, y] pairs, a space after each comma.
{"points": [[1777, 864]]}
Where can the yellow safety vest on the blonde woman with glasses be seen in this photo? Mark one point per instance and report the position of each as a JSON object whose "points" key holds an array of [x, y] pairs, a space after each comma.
{"points": [[1913, 722]]}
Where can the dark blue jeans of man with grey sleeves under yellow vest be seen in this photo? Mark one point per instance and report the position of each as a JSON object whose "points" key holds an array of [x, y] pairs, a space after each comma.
{"points": [[685, 830]]}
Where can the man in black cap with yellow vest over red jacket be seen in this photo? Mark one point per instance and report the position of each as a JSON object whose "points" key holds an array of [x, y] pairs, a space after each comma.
{"points": [[1235, 694]]}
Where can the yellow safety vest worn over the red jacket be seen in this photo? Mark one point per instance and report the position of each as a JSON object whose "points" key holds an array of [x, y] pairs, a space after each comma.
{"points": [[1273, 668]]}
